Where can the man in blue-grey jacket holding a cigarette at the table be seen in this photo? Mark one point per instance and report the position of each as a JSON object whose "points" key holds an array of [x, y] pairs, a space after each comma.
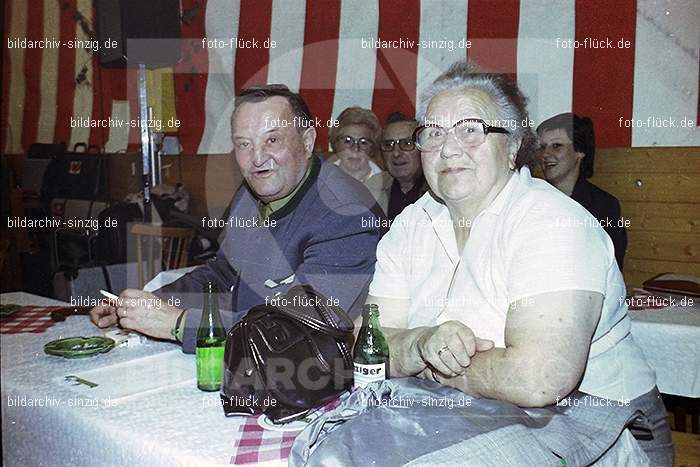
{"points": [[305, 223]]}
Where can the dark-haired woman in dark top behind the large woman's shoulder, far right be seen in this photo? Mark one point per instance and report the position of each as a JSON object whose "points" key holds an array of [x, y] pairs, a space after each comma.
{"points": [[567, 152]]}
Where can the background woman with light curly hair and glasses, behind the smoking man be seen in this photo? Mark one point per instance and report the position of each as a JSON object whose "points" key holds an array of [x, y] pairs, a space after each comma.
{"points": [[354, 141]]}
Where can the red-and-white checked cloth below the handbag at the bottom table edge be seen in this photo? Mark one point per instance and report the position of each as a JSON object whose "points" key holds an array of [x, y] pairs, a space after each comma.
{"points": [[255, 444]]}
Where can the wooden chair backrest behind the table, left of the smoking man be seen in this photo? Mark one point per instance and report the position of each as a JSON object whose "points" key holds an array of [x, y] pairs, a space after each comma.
{"points": [[174, 242]]}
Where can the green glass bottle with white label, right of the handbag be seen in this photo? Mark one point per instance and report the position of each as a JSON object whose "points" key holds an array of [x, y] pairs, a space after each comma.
{"points": [[371, 352]]}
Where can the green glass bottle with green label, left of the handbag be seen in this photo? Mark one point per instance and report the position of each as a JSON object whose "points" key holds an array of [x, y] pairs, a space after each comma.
{"points": [[211, 342]]}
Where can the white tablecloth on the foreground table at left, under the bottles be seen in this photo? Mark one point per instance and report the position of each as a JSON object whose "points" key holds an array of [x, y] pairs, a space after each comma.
{"points": [[169, 423]]}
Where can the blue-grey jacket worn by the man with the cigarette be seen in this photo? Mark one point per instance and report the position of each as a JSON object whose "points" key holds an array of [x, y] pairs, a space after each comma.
{"points": [[323, 237]]}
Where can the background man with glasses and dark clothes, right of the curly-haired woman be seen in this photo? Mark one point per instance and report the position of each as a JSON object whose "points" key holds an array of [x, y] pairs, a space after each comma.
{"points": [[404, 183]]}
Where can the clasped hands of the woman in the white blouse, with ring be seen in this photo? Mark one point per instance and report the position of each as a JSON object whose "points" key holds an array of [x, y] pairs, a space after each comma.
{"points": [[448, 348]]}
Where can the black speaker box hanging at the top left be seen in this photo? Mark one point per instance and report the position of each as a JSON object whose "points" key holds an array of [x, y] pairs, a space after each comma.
{"points": [[131, 32]]}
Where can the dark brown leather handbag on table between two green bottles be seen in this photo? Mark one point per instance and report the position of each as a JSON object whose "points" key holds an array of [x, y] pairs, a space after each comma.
{"points": [[287, 357]]}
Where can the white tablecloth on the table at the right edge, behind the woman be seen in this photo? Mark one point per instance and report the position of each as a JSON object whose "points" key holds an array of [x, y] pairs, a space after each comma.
{"points": [[670, 340]]}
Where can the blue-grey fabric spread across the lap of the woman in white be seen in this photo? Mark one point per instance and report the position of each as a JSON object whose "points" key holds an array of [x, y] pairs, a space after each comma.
{"points": [[407, 420]]}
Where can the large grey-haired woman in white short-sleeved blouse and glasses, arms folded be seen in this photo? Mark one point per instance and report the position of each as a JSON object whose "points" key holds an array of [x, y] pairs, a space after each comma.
{"points": [[496, 283]]}
